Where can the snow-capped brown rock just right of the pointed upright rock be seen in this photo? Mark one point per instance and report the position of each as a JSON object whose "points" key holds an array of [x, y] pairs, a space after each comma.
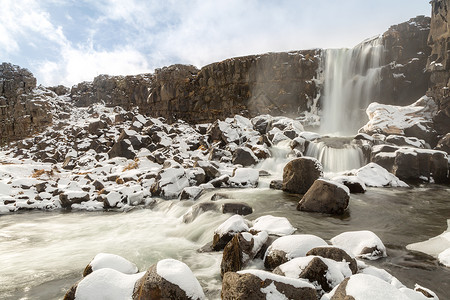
{"points": [[289, 247]]}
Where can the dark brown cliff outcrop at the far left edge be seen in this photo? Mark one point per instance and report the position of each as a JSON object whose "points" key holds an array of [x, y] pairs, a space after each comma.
{"points": [[22, 111]]}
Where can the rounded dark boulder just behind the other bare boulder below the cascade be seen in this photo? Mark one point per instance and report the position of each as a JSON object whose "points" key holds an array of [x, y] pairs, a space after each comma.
{"points": [[299, 174]]}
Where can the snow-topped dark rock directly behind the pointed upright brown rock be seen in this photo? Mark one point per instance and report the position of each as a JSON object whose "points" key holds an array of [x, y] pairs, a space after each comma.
{"points": [[225, 232]]}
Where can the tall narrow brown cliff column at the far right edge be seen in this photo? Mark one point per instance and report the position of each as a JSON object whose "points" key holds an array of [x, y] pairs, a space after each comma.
{"points": [[439, 63]]}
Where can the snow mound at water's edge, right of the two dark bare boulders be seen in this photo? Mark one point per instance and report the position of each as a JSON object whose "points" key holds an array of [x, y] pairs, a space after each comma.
{"points": [[375, 175]]}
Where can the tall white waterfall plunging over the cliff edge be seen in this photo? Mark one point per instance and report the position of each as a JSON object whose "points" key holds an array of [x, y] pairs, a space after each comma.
{"points": [[351, 82]]}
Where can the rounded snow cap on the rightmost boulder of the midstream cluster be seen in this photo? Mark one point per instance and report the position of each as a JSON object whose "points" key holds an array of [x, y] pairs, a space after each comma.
{"points": [[355, 241]]}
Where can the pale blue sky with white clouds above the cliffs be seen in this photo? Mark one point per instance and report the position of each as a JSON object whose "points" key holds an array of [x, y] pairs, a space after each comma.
{"points": [[70, 41]]}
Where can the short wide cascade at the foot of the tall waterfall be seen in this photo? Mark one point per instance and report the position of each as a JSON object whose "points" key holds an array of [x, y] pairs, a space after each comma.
{"points": [[336, 154]]}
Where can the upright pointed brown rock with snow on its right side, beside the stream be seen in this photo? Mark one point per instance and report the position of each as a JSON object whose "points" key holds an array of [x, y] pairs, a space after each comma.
{"points": [[242, 248]]}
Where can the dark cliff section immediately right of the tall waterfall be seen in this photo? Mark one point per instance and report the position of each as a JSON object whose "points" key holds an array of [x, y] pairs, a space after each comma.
{"points": [[404, 77]]}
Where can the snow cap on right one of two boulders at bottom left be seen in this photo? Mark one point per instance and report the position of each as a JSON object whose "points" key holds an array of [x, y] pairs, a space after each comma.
{"points": [[178, 273]]}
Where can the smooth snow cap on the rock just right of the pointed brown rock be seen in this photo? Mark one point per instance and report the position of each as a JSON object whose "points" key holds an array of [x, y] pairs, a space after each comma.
{"points": [[296, 245]]}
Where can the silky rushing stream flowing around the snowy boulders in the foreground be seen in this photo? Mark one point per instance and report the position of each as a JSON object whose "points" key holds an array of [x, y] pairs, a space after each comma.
{"points": [[43, 253]]}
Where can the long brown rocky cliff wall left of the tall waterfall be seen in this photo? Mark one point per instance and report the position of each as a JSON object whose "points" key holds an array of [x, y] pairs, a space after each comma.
{"points": [[277, 83]]}
